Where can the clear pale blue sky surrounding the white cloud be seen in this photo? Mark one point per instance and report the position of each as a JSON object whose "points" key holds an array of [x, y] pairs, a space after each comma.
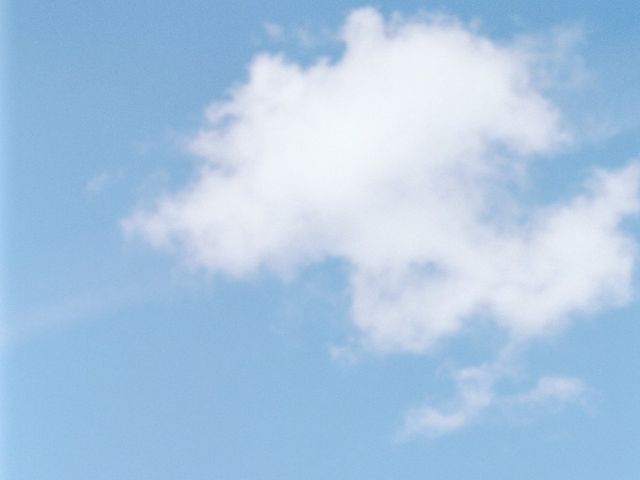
{"points": [[121, 364]]}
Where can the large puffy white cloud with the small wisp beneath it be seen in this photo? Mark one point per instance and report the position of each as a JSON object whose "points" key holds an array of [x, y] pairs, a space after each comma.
{"points": [[400, 158]]}
